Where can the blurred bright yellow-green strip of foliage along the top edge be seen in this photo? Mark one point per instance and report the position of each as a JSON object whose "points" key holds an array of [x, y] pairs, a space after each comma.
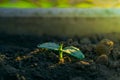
{"points": [[59, 3]]}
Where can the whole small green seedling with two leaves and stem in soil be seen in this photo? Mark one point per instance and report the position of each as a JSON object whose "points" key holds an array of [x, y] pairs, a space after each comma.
{"points": [[71, 50]]}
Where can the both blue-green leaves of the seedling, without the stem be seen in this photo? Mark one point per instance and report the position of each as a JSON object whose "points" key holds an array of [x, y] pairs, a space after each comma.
{"points": [[73, 51]]}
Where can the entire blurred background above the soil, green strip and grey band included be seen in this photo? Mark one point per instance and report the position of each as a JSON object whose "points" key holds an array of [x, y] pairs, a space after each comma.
{"points": [[67, 17]]}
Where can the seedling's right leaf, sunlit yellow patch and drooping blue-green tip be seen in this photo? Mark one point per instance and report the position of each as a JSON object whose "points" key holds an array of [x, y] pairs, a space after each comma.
{"points": [[73, 51]]}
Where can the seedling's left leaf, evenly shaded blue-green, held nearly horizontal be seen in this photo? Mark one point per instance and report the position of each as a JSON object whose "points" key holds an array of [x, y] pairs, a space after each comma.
{"points": [[49, 45]]}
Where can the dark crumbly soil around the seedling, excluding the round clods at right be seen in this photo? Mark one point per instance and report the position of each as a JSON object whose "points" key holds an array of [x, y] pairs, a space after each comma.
{"points": [[20, 59]]}
